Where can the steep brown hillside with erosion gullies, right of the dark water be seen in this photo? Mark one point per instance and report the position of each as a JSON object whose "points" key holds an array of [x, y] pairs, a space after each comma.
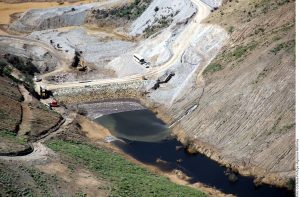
{"points": [[246, 115]]}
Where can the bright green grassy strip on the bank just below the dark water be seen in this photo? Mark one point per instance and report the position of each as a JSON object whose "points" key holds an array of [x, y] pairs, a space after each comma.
{"points": [[128, 179]]}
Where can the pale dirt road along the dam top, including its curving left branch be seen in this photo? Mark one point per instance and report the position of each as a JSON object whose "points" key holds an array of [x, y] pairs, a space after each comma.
{"points": [[188, 34]]}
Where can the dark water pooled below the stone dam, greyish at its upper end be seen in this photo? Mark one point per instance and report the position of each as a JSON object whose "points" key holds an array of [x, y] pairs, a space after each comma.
{"points": [[148, 139]]}
